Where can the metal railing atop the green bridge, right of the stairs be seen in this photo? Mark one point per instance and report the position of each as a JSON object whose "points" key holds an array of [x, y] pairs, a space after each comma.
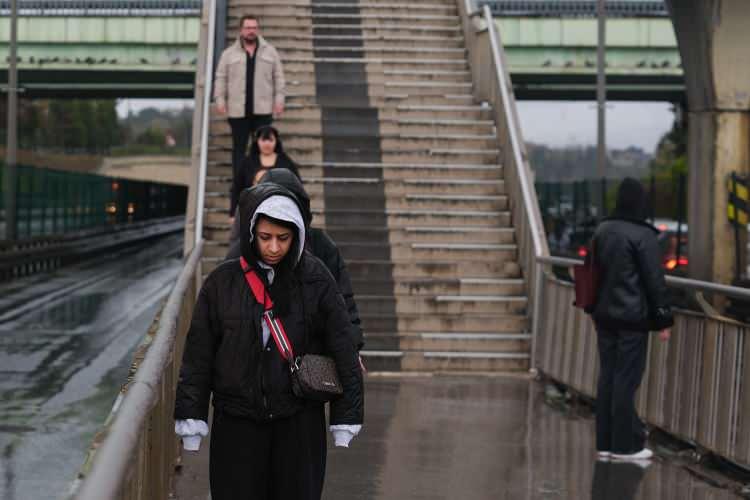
{"points": [[575, 8]]}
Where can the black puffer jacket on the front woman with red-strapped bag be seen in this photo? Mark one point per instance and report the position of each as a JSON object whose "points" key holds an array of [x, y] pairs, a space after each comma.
{"points": [[224, 355]]}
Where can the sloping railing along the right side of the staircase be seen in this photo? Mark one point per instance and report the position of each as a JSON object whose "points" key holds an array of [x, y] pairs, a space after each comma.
{"points": [[492, 85]]}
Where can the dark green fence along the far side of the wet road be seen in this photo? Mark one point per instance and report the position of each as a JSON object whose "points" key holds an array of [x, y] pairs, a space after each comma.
{"points": [[51, 202]]}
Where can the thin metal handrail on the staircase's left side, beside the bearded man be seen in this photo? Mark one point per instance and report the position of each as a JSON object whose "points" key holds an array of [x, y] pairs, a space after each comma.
{"points": [[205, 120]]}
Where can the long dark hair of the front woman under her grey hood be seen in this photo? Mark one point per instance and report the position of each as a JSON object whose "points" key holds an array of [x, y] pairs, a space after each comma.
{"points": [[285, 276]]}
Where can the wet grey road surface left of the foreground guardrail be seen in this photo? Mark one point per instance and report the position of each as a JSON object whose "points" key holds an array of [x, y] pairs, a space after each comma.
{"points": [[66, 342]]}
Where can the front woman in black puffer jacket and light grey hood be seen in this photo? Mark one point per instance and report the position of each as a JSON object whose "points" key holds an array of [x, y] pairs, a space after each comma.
{"points": [[266, 443]]}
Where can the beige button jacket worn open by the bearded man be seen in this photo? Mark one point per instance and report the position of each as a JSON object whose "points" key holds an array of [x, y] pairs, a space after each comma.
{"points": [[229, 87]]}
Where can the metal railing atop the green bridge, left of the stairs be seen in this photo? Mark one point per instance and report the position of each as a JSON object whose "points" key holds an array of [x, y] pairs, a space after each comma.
{"points": [[107, 8]]}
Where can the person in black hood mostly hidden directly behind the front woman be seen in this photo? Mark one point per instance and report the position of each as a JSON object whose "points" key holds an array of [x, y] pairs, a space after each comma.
{"points": [[317, 242]]}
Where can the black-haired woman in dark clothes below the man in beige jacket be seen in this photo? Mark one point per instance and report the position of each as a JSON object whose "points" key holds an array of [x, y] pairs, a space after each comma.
{"points": [[266, 152]]}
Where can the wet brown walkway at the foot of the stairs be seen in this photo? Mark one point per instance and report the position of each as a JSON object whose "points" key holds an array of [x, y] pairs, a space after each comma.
{"points": [[476, 438]]}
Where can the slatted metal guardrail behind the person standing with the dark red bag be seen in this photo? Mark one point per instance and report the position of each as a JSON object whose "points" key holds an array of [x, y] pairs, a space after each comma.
{"points": [[695, 386]]}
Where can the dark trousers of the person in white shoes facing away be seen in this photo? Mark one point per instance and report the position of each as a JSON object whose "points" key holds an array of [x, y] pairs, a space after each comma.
{"points": [[622, 359]]}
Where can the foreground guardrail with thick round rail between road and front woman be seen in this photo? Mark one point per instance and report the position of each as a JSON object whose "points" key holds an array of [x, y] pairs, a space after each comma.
{"points": [[136, 459]]}
